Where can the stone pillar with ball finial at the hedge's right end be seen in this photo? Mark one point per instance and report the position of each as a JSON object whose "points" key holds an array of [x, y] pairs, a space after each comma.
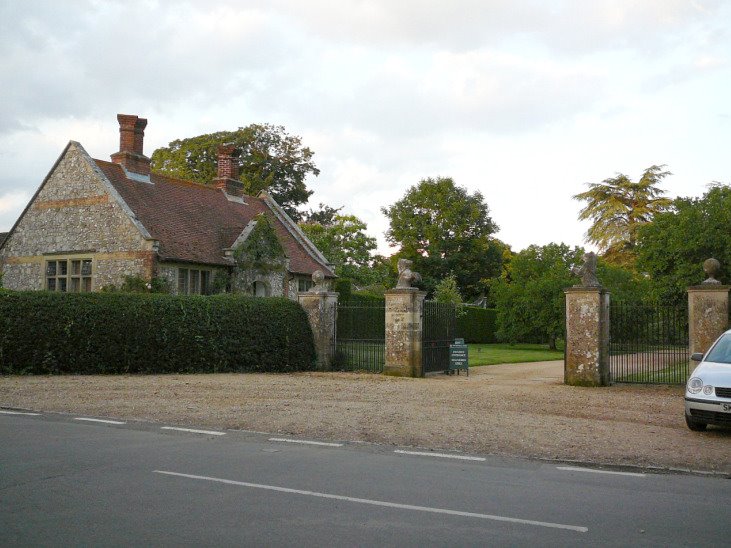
{"points": [[321, 306]]}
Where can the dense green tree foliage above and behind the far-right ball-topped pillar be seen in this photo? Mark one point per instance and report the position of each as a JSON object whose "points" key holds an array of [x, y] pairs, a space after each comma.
{"points": [[673, 248]]}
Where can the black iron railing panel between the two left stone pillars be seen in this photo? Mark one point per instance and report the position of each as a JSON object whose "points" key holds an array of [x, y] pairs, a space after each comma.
{"points": [[360, 336]]}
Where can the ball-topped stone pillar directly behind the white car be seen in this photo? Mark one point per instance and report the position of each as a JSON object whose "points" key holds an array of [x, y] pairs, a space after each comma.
{"points": [[707, 309]]}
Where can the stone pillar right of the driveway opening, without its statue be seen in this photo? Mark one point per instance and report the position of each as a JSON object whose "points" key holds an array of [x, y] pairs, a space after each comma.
{"points": [[587, 337]]}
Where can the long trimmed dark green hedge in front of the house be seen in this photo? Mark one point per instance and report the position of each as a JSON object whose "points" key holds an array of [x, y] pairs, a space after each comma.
{"points": [[94, 333]]}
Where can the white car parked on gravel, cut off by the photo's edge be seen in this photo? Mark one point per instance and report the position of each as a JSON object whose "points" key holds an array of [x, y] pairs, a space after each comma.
{"points": [[708, 392]]}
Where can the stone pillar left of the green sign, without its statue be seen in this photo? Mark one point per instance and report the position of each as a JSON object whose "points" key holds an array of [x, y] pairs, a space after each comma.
{"points": [[404, 308]]}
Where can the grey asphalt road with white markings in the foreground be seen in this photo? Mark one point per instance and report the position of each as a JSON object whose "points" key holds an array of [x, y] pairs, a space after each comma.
{"points": [[65, 481]]}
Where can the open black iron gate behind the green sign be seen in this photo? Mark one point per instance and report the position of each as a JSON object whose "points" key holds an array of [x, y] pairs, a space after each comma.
{"points": [[439, 325]]}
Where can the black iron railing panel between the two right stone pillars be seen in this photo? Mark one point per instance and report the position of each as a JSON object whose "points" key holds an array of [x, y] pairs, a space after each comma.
{"points": [[648, 343]]}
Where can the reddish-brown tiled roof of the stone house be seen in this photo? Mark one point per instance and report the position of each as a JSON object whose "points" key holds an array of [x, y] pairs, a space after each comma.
{"points": [[195, 223]]}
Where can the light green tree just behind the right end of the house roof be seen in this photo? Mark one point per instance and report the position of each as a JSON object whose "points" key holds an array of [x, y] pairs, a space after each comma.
{"points": [[346, 245]]}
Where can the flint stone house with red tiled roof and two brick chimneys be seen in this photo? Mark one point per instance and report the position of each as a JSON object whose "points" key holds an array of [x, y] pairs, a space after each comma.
{"points": [[92, 223]]}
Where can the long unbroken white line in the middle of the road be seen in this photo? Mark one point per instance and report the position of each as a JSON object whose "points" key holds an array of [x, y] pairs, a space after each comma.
{"points": [[381, 503]]}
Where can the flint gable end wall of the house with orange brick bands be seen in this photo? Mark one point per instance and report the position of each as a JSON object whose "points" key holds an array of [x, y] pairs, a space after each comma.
{"points": [[74, 214]]}
